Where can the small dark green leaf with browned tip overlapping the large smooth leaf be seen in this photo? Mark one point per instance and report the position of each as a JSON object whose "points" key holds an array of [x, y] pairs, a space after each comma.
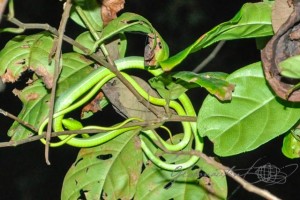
{"points": [[213, 82]]}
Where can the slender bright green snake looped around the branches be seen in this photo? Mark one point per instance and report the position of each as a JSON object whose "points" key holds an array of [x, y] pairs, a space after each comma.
{"points": [[84, 90]]}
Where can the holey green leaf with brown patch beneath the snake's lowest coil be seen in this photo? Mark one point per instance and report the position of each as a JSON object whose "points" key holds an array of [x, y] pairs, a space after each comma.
{"points": [[202, 181]]}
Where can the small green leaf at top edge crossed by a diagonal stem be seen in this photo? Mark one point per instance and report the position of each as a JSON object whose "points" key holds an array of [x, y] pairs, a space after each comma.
{"points": [[92, 11]]}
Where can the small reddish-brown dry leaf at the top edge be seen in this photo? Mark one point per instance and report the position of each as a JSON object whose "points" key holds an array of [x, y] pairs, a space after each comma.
{"points": [[110, 8]]}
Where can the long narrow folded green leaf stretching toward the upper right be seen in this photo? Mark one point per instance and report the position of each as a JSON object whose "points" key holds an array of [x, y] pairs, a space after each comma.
{"points": [[253, 20]]}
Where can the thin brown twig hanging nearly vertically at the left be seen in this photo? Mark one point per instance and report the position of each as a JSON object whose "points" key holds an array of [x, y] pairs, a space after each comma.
{"points": [[57, 48]]}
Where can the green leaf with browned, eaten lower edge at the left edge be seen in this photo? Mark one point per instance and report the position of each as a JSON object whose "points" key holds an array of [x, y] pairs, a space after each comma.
{"points": [[27, 53]]}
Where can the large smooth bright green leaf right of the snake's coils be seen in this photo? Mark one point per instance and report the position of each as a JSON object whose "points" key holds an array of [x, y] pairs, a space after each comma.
{"points": [[253, 117]]}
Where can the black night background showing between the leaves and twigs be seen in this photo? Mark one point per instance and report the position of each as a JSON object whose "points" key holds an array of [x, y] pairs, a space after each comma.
{"points": [[23, 172]]}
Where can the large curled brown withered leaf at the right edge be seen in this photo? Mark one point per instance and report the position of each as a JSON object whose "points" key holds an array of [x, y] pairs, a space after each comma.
{"points": [[282, 46]]}
